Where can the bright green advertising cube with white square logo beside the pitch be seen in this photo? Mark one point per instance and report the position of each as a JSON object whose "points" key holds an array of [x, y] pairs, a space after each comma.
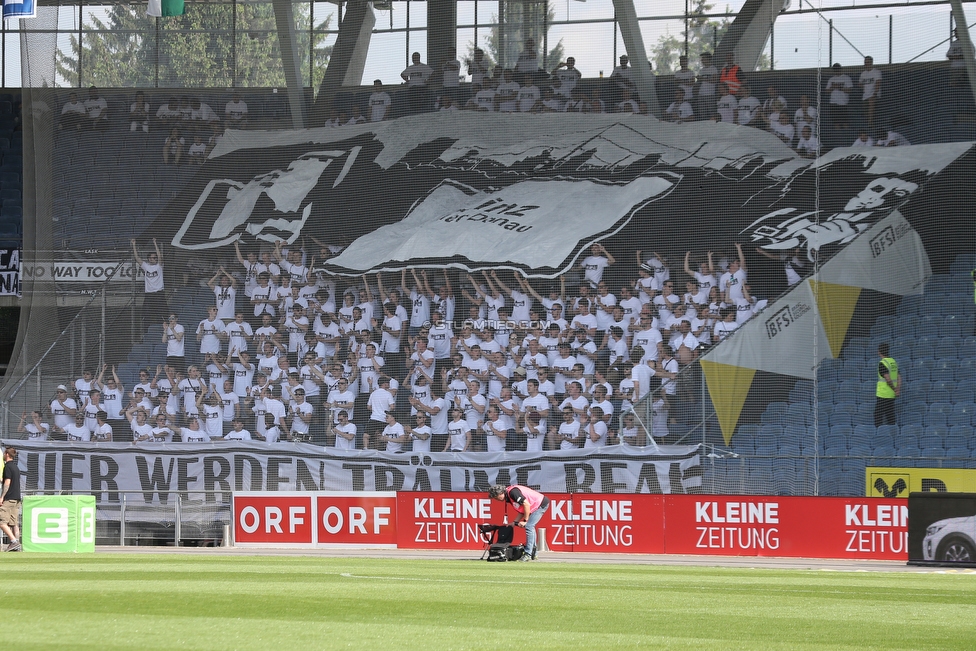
{"points": [[59, 523]]}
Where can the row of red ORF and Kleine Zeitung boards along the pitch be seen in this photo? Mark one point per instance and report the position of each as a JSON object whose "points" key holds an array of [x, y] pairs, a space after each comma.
{"points": [[805, 527]]}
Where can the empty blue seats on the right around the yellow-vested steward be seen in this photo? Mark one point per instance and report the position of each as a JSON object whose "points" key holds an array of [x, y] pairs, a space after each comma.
{"points": [[935, 420]]}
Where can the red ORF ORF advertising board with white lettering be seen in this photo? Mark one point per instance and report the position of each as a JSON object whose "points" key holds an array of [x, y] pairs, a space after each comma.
{"points": [[361, 519]]}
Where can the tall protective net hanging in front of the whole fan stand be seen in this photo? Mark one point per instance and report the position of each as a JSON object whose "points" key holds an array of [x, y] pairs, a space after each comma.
{"points": [[767, 289]]}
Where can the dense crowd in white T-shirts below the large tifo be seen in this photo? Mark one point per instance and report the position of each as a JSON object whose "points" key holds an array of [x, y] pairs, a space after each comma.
{"points": [[422, 361]]}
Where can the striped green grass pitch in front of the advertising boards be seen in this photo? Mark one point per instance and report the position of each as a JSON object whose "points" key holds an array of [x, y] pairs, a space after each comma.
{"points": [[119, 601]]}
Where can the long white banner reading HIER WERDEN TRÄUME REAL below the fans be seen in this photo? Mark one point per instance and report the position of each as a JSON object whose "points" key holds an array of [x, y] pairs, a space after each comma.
{"points": [[252, 466]]}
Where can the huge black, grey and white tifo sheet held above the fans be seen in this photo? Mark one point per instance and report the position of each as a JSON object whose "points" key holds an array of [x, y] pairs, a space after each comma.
{"points": [[483, 191]]}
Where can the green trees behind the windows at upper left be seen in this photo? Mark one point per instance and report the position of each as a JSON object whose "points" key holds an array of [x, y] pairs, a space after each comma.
{"points": [[196, 50]]}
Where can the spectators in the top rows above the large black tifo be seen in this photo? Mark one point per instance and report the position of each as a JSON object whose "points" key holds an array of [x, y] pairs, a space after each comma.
{"points": [[708, 93]]}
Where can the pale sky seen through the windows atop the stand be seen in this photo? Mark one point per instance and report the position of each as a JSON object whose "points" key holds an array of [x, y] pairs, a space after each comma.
{"points": [[902, 33]]}
